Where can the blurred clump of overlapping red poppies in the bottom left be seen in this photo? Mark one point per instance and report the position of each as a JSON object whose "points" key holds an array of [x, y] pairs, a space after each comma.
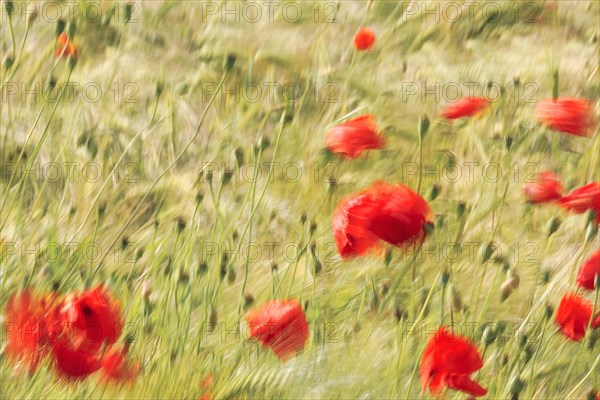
{"points": [[77, 332]]}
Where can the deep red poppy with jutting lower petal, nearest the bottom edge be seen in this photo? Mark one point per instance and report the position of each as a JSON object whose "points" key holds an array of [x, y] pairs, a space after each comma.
{"points": [[448, 361]]}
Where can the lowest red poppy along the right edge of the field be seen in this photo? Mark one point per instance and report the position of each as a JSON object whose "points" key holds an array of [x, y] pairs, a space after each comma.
{"points": [[573, 316]]}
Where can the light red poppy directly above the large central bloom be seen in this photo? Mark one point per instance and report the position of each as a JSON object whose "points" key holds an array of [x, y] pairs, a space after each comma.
{"points": [[355, 136]]}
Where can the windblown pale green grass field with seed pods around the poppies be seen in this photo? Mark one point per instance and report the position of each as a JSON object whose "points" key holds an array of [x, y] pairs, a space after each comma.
{"points": [[190, 235]]}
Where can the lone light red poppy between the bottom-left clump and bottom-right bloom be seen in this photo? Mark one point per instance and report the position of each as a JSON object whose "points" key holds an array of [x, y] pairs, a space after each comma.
{"points": [[280, 325]]}
